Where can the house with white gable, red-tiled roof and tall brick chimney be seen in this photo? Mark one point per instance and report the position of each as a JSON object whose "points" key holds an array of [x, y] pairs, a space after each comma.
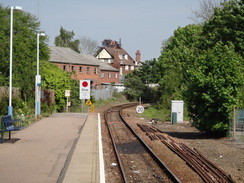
{"points": [[113, 54]]}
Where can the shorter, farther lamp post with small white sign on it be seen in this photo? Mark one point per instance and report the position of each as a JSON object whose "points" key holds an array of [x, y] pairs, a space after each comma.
{"points": [[38, 80]]}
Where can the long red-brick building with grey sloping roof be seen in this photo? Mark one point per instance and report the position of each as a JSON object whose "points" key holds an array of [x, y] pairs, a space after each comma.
{"points": [[84, 67]]}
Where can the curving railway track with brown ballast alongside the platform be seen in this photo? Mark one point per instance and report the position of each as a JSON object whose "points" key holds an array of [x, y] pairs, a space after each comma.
{"points": [[137, 162]]}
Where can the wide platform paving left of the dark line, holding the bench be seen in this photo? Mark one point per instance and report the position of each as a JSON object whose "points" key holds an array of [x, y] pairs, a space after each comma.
{"points": [[39, 152]]}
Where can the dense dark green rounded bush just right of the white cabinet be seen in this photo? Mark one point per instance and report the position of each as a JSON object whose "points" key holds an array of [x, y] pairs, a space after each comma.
{"points": [[214, 88]]}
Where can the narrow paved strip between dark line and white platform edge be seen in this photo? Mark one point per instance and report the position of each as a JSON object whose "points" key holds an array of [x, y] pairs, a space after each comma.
{"points": [[84, 164]]}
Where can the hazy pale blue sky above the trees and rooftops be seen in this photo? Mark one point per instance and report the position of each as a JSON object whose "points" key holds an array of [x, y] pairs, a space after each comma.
{"points": [[140, 24]]}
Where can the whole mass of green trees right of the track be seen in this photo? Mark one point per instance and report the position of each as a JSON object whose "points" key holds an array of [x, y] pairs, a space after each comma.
{"points": [[204, 66]]}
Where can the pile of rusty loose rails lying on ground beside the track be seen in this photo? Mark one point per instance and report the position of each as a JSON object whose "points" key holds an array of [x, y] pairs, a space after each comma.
{"points": [[207, 170]]}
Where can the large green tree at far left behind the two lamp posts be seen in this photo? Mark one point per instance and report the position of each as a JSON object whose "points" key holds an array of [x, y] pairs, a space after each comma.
{"points": [[25, 29]]}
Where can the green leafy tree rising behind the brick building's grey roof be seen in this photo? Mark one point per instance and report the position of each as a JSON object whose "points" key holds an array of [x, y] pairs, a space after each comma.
{"points": [[65, 39]]}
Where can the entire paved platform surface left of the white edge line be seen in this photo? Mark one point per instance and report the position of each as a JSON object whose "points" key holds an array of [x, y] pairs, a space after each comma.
{"points": [[60, 148]]}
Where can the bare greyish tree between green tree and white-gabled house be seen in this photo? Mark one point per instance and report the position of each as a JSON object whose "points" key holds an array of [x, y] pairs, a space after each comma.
{"points": [[87, 45]]}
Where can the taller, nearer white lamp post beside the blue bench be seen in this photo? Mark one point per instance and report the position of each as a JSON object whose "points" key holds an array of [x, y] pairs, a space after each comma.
{"points": [[10, 108]]}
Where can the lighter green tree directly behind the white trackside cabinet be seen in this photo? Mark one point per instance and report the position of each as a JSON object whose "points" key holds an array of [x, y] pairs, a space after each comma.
{"points": [[176, 57]]}
